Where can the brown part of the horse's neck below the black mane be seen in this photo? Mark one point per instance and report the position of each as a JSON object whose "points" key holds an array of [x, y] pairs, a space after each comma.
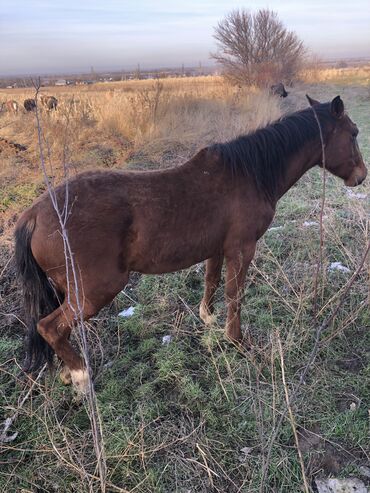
{"points": [[305, 159]]}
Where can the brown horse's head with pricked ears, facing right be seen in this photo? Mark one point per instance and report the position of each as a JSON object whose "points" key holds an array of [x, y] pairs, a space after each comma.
{"points": [[342, 154]]}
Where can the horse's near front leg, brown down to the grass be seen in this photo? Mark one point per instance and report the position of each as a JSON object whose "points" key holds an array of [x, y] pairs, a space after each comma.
{"points": [[237, 263]]}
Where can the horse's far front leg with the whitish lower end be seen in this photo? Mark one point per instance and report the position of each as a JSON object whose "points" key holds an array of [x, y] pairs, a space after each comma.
{"points": [[212, 279]]}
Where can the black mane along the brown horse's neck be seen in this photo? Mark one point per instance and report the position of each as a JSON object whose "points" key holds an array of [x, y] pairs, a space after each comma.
{"points": [[263, 154]]}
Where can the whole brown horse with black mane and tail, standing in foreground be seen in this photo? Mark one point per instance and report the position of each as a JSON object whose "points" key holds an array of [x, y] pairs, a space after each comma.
{"points": [[215, 207]]}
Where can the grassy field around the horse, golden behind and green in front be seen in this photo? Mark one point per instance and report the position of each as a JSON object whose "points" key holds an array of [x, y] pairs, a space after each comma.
{"points": [[191, 413]]}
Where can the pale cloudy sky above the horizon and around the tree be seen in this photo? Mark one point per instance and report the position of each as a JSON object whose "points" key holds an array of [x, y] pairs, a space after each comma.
{"points": [[58, 36]]}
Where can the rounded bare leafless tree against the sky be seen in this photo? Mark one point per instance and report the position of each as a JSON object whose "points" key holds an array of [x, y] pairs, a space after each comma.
{"points": [[257, 48]]}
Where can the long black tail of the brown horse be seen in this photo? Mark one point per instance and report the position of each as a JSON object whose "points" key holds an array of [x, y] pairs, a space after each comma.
{"points": [[39, 297]]}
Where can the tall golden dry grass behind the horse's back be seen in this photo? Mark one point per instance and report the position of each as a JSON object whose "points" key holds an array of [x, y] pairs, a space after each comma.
{"points": [[151, 121]]}
